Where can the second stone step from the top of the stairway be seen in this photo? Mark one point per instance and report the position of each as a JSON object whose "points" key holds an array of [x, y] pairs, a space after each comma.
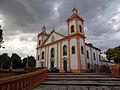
{"points": [[78, 76]]}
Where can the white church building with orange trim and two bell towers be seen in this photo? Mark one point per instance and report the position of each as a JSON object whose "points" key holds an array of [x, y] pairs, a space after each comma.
{"points": [[68, 53]]}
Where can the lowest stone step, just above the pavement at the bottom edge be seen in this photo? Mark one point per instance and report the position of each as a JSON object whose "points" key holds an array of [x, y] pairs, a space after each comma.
{"points": [[83, 83]]}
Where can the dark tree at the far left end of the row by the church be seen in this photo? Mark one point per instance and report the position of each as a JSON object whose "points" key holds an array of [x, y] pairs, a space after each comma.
{"points": [[4, 61]]}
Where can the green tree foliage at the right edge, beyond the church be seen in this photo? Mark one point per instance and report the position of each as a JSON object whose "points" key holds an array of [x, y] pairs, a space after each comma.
{"points": [[114, 54]]}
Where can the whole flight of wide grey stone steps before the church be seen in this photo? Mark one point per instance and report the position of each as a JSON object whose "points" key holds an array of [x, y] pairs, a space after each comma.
{"points": [[79, 81]]}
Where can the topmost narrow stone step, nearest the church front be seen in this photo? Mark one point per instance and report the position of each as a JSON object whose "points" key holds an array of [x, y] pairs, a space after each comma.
{"points": [[74, 74]]}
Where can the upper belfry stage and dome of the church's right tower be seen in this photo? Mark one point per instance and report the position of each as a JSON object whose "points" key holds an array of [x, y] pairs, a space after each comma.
{"points": [[75, 24]]}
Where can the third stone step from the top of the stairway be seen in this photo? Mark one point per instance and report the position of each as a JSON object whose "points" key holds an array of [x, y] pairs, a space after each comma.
{"points": [[83, 79]]}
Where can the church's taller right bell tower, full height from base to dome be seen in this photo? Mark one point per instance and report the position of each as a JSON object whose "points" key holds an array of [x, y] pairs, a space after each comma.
{"points": [[76, 29]]}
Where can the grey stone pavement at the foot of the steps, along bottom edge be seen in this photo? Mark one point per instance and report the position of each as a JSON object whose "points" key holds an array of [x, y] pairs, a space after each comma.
{"points": [[75, 87]]}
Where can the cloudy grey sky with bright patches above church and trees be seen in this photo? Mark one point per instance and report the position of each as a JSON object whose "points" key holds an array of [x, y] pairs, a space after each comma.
{"points": [[22, 20]]}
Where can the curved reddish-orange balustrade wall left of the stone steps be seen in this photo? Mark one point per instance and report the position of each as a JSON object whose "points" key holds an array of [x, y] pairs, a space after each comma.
{"points": [[23, 82]]}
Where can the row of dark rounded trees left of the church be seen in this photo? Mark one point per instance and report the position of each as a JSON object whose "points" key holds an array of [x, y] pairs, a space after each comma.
{"points": [[17, 62]]}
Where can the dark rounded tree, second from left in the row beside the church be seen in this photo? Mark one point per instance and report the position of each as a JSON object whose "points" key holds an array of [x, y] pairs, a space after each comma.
{"points": [[16, 60]]}
